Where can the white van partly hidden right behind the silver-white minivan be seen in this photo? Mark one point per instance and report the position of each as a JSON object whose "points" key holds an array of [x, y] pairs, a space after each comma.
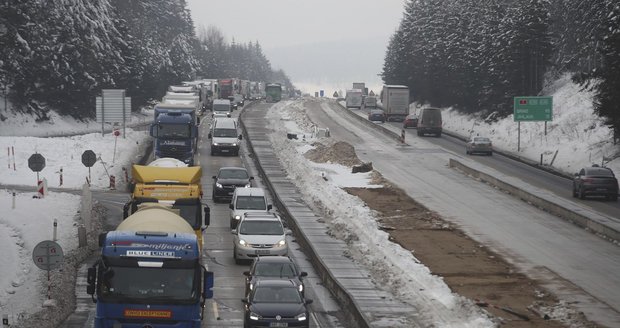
{"points": [[247, 200]]}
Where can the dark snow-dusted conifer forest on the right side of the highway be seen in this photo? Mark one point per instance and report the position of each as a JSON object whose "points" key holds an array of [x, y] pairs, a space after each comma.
{"points": [[476, 55]]}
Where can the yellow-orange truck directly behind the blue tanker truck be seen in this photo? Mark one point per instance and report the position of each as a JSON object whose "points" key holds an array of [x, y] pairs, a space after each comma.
{"points": [[170, 181]]}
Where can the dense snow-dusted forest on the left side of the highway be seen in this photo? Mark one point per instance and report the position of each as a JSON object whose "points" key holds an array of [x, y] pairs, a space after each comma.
{"points": [[60, 54]]}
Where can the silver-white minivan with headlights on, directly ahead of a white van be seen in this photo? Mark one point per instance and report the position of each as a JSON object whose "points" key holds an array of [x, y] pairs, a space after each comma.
{"points": [[259, 234]]}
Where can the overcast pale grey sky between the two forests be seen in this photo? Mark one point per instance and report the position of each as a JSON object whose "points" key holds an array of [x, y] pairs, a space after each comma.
{"points": [[312, 30]]}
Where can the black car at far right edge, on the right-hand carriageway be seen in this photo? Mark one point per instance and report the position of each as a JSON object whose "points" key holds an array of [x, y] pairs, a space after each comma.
{"points": [[595, 181]]}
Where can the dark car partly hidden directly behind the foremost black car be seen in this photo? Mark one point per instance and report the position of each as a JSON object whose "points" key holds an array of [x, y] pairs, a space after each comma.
{"points": [[274, 267]]}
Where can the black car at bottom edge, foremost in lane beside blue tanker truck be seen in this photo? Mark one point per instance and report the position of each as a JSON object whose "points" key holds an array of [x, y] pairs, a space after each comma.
{"points": [[276, 303]]}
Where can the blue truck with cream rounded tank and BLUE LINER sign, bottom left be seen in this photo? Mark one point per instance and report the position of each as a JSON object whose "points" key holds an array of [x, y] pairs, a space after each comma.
{"points": [[149, 273]]}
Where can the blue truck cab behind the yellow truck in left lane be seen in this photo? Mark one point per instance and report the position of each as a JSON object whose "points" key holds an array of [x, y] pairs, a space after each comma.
{"points": [[175, 129]]}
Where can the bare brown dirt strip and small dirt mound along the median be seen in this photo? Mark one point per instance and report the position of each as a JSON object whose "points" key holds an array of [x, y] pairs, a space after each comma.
{"points": [[468, 268]]}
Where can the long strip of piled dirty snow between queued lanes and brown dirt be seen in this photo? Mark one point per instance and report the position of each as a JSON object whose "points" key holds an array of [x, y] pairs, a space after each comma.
{"points": [[350, 220]]}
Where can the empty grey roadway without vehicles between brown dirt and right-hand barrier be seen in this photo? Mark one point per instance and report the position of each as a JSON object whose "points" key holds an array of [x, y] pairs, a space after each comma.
{"points": [[574, 263]]}
